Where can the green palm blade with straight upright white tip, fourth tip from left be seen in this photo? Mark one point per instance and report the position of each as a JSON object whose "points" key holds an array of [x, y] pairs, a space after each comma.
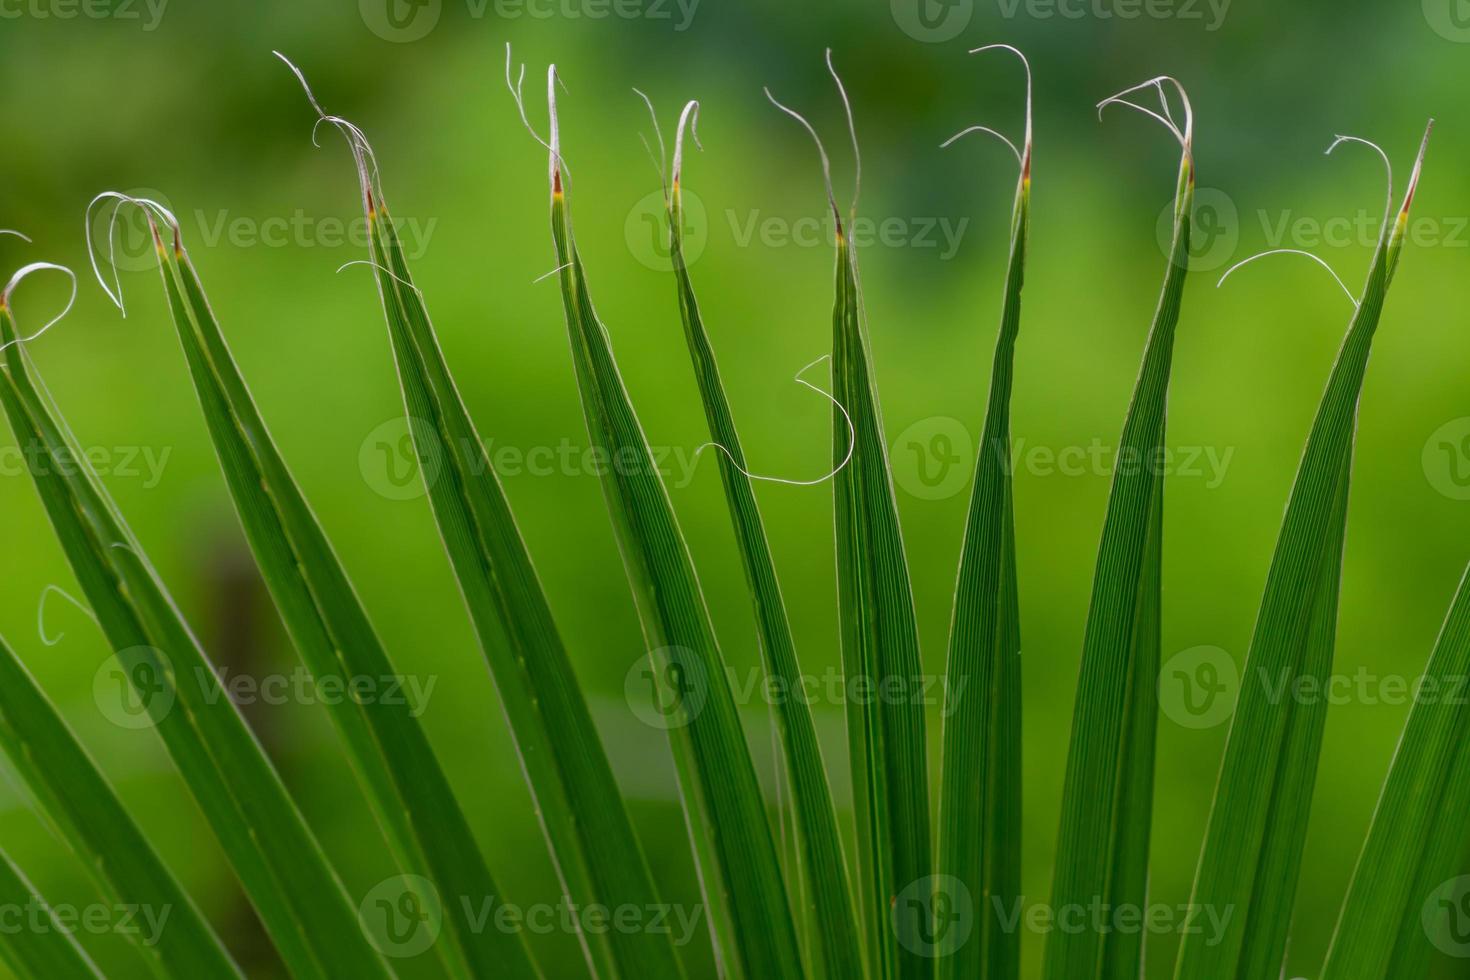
{"points": [[740, 869]]}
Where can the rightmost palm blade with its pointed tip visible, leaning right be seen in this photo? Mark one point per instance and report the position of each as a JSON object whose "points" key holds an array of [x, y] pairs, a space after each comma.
{"points": [[1252, 856]]}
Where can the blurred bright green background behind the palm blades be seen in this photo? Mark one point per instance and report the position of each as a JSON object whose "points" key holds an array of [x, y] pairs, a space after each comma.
{"points": [[186, 101]]}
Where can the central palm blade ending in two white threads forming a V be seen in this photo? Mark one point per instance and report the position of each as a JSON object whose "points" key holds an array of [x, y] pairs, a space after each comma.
{"points": [[880, 640]]}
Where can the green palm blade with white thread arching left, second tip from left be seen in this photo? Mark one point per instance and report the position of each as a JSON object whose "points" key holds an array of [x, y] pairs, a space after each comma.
{"points": [[384, 740]]}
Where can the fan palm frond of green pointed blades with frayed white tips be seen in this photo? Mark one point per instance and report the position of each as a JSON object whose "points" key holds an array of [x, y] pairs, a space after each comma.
{"points": [[890, 916]]}
